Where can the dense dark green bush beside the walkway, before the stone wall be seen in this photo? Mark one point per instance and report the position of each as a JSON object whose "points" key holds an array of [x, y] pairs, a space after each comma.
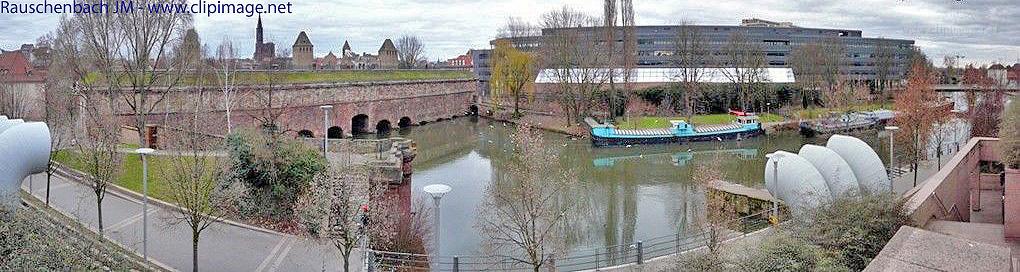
{"points": [[276, 172]]}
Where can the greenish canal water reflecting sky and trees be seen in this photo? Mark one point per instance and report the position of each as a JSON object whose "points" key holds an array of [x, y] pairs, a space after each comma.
{"points": [[630, 194]]}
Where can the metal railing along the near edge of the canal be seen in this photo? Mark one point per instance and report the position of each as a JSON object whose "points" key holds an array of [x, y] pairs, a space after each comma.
{"points": [[590, 259]]}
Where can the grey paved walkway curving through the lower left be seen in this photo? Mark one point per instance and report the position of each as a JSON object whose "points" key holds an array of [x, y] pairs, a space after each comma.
{"points": [[223, 247]]}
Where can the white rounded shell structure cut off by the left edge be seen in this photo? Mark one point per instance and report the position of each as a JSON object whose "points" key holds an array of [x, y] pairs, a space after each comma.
{"points": [[25, 150]]}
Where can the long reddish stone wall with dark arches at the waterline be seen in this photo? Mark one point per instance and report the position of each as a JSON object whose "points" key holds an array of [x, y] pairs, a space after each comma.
{"points": [[358, 107]]}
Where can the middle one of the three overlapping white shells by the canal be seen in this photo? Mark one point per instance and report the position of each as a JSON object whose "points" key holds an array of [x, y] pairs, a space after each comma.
{"points": [[839, 176]]}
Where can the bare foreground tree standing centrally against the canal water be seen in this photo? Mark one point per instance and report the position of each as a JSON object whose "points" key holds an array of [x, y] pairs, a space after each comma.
{"points": [[523, 216]]}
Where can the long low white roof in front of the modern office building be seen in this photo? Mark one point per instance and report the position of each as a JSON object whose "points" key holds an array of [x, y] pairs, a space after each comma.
{"points": [[661, 75]]}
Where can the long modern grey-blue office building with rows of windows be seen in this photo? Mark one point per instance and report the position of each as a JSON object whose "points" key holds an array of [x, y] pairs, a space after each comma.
{"points": [[655, 46]]}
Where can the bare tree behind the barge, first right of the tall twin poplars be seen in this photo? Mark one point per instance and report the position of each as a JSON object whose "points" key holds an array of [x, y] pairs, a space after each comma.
{"points": [[689, 57]]}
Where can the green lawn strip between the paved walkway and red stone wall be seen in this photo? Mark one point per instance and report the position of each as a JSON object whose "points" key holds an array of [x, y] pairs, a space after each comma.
{"points": [[131, 172]]}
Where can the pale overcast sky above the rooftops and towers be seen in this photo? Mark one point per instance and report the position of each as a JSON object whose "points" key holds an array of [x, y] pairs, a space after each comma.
{"points": [[984, 32]]}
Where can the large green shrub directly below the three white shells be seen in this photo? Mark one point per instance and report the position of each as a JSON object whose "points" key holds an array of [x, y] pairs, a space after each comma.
{"points": [[855, 229]]}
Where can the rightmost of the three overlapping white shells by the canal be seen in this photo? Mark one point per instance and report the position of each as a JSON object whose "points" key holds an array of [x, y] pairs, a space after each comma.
{"points": [[863, 160]]}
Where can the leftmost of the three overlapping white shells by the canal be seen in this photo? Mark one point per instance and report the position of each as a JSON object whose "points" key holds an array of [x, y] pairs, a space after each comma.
{"points": [[799, 185]]}
